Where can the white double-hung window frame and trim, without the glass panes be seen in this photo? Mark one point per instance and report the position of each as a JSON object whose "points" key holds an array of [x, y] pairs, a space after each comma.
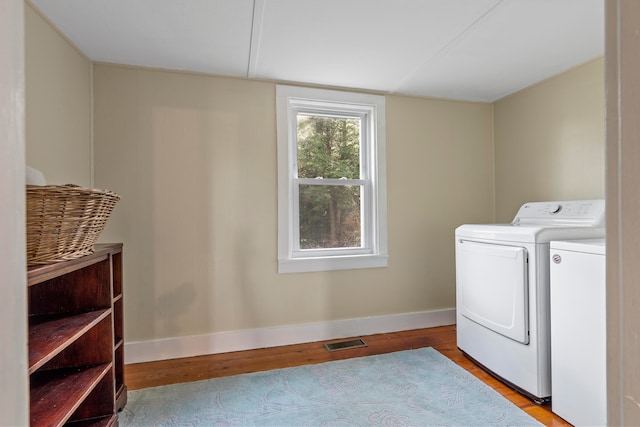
{"points": [[371, 108]]}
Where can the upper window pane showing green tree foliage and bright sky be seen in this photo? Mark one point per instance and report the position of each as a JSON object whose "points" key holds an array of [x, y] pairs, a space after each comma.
{"points": [[328, 147]]}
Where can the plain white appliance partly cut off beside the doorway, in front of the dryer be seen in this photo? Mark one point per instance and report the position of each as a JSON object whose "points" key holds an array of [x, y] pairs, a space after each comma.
{"points": [[579, 331]]}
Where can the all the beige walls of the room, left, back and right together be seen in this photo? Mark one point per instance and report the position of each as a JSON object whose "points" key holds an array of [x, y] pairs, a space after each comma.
{"points": [[194, 159]]}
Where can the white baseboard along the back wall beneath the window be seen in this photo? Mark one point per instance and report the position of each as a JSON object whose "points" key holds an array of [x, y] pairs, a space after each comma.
{"points": [[224, 342]]}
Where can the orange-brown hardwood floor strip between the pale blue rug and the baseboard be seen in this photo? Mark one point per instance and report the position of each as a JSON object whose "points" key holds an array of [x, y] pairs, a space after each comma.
{"points": [[443, 339]]}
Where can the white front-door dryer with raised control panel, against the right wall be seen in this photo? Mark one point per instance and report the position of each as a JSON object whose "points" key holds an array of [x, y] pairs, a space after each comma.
{"points": [[502, 289]]}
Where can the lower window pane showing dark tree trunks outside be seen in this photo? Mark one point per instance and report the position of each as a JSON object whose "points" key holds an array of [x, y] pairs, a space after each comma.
{"points": [[330, 216]]}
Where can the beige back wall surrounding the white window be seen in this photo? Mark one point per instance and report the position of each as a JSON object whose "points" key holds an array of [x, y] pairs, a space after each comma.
{"points": [[194, 159]]}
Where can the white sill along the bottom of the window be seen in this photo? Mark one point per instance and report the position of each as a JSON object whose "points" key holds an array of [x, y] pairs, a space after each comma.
{"points": [[303, 265]]}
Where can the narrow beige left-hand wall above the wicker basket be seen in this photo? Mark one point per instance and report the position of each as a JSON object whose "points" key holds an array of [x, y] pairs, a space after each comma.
{"points": [[58, 105]]}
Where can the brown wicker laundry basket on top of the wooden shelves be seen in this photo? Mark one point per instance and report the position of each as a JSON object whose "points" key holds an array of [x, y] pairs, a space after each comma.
{"points": [[65, 221]]}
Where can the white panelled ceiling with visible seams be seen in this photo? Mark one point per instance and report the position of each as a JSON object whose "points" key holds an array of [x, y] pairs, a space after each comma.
{"points": [[476, 50]]}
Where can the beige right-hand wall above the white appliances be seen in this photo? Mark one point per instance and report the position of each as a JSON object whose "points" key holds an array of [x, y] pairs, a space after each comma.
{"points": [[549, 141]]}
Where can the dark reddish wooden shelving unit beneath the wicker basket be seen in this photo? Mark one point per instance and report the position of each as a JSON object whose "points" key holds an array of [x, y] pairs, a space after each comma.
{"points": [[76, 346]]}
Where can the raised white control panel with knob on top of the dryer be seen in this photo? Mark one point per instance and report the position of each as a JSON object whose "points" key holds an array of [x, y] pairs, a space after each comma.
{"points": [[574, 212]]}
